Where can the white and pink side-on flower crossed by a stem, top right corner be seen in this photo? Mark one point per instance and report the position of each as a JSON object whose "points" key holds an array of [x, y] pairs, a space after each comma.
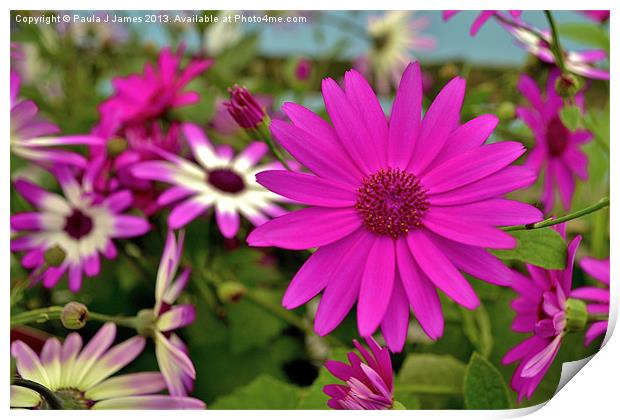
{"points": [[538, 43]]}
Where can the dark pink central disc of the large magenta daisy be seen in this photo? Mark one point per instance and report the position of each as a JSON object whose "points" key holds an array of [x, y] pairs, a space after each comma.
{"points": [[391, 202]]}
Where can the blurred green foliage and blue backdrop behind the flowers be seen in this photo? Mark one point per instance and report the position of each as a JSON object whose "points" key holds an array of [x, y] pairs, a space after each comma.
{"points": [[248, 351]]}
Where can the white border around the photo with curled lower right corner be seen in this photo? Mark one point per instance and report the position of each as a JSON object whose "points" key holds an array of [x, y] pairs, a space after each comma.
{"points": [[593, 393]]}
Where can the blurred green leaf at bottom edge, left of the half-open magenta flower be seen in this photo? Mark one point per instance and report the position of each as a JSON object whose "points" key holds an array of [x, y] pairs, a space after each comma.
{"points": [[264, 393]]}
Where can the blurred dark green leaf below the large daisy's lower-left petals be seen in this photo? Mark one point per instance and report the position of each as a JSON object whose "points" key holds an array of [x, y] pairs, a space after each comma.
{"points": [[251, 326]]}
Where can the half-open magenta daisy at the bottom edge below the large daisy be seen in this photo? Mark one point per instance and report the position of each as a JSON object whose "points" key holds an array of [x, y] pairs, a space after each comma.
{"points": [[369, 380]]}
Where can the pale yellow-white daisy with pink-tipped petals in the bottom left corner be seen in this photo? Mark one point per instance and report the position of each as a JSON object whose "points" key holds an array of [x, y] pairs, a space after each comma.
{"points": [[81, 377]]}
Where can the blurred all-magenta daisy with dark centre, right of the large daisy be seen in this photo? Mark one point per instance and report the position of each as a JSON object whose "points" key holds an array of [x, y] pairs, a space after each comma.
{"points": [[556, 153]]}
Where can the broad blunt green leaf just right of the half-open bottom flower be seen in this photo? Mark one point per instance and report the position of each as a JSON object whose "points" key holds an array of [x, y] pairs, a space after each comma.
{"points": [[431, 374]]}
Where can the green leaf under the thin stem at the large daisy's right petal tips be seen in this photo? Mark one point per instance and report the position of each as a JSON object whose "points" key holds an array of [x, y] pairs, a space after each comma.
{"points": [[541, 247]]}
